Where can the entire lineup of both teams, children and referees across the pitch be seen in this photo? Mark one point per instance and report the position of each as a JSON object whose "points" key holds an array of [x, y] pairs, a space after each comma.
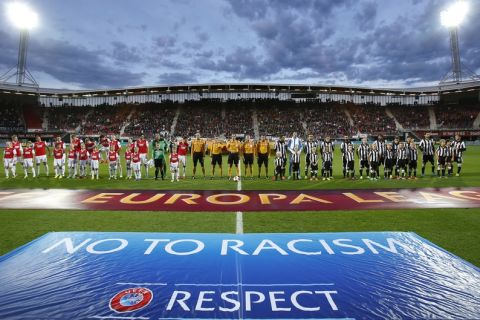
{"points": [[399, 159]]}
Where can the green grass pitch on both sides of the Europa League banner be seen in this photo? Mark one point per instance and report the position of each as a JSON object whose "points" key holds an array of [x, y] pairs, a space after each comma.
{"points": [[455, 229]]}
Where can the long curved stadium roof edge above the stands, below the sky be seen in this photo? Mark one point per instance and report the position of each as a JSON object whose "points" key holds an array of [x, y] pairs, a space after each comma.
{"points": [[242, 87]]}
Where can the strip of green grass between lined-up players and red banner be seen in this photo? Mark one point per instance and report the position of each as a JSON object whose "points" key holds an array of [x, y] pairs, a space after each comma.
{"points": [[469, 178]]}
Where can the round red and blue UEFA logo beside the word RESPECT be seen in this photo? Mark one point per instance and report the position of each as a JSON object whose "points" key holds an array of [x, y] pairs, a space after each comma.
{"points": [[129, 300]]}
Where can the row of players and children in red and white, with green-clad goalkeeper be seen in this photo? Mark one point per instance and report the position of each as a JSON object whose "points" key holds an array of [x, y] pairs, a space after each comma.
{"points": [[83, 155]]}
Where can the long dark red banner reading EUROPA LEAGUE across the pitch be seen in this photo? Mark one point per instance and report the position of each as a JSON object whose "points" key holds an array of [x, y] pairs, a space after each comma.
{"points": [[265, 200]]}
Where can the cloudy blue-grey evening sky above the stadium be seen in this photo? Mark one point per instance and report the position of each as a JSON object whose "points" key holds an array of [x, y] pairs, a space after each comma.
{"points": [[110, 44]]}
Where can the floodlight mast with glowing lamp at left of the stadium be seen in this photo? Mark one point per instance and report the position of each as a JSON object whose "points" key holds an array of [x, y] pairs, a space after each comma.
{"points": [[25, 19]]}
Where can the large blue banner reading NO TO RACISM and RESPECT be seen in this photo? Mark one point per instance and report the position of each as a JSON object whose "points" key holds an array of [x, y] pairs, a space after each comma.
{"points": [[82, 275]]}
